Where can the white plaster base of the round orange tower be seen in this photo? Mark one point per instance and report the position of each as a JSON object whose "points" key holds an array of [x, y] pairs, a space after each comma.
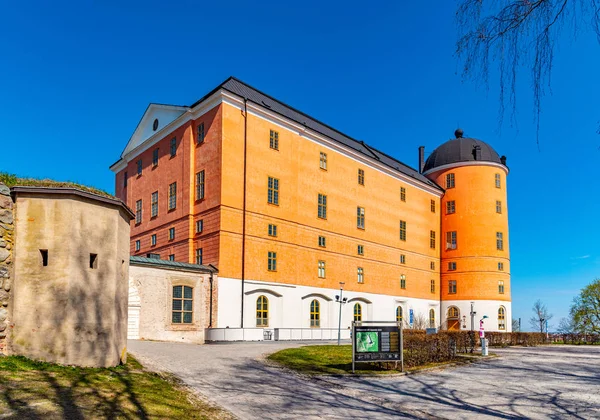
{"points": [[481, 307]]}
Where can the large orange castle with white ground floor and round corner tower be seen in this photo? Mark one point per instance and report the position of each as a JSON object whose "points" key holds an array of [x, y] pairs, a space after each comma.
{"points": [[288, 208]]}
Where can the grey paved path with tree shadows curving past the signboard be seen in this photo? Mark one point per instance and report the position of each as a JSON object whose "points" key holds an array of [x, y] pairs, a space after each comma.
{"points": [[540, 382]]}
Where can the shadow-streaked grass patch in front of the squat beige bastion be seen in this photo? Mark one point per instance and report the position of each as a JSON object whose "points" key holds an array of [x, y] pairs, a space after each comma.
{"points": [[33, 390]]}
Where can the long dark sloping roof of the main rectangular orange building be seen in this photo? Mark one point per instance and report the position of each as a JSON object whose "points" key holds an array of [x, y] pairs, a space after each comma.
{"points": [[257, 97]]}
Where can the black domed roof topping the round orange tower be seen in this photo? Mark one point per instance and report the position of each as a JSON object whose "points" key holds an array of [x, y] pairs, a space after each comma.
{"points": [[461, 149]]}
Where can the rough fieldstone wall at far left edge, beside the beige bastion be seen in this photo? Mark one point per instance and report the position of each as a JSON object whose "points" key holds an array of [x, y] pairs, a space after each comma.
{"points": [[6, 250]]}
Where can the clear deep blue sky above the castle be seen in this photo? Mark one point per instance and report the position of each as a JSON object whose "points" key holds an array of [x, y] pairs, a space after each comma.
{"points": [[75, 78]]}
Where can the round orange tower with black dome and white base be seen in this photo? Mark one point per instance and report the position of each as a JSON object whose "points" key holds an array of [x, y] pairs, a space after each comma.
{"points": [[475, 259]]}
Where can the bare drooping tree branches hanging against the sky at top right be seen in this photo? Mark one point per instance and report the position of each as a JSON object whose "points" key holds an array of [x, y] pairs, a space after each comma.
{"points": [[514, 34]]}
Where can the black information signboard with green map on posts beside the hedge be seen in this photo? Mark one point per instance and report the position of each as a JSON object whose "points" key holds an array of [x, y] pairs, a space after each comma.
{"points": [[377, 341]]}
